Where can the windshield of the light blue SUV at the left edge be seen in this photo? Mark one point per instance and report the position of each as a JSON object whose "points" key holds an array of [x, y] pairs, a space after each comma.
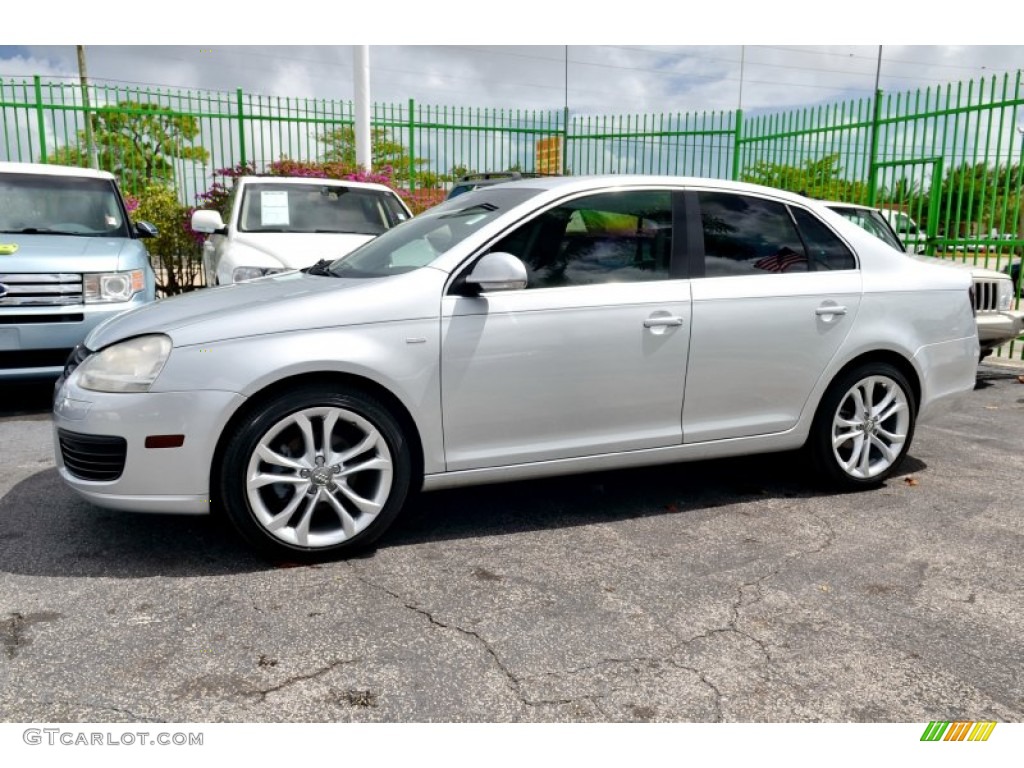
{"points": [[37, 204]]}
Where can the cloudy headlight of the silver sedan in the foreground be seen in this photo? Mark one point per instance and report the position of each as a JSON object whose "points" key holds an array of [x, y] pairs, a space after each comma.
{"points": [[127, 367]]}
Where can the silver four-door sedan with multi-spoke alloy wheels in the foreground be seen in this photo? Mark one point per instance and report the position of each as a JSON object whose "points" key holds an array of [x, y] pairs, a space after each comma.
{"points": [[537, 328]]}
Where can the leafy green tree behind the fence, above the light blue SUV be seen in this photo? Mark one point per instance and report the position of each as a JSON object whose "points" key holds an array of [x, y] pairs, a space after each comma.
{"points": [[139, 143]]}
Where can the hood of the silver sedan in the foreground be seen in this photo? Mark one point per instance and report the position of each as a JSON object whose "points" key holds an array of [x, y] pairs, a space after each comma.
{"points": [[281, 304]]}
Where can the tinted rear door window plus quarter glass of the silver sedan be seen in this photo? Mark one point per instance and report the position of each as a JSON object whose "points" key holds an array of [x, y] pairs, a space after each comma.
{"points": [[747, 235]]}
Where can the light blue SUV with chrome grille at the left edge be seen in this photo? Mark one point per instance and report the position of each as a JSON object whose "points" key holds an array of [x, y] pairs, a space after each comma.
{"points": [[70, 258]]}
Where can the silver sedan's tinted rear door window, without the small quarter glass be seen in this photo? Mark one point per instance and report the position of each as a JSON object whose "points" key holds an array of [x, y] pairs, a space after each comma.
{"points": [[745, 235]]}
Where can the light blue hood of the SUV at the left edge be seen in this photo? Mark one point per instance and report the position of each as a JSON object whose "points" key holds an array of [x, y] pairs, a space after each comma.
{"points": [[60, 253]]}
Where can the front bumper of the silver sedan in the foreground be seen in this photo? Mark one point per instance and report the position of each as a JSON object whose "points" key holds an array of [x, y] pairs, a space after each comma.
{"points": [[154, 480]]}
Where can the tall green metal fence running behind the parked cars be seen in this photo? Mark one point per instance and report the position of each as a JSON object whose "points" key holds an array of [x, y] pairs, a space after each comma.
{"points": [[949, 157]]}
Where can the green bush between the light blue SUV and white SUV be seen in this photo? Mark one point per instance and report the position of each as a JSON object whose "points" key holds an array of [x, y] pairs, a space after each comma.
{"points": [[177, 254]]}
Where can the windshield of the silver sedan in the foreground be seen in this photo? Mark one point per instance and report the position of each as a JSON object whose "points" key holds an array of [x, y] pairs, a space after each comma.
{"points": [[422, 240]]}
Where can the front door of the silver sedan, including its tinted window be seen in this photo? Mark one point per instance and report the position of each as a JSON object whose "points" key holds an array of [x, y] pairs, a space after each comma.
{"points": [[590, 358]]}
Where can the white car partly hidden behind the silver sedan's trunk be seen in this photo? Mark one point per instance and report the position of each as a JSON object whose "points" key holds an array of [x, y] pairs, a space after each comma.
{"points": [[998, 322]]}
